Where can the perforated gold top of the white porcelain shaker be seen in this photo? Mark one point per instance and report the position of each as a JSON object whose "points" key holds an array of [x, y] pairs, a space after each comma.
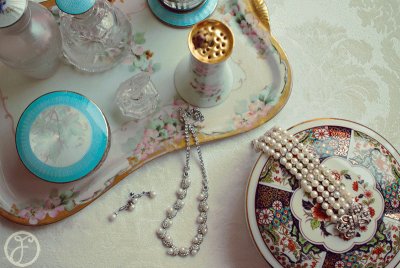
{"points": [[211, 41]]}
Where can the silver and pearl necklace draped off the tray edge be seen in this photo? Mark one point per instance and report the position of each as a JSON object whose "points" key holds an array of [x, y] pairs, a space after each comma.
{"points": [[189, 118]]}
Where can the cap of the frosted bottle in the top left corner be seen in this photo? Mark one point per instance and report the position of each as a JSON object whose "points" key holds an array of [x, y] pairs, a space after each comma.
{"points": [[11, 11]]}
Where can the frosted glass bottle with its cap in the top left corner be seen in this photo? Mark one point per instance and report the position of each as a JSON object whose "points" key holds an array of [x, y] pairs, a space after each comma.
{"points": [[30, 40]]}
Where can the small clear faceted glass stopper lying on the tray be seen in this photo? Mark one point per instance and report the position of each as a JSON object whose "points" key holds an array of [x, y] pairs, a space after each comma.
{"points": [[137, 97]]}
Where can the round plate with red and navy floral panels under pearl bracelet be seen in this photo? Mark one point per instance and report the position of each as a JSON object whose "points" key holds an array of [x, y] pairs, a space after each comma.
{"points": [[291, 231]]}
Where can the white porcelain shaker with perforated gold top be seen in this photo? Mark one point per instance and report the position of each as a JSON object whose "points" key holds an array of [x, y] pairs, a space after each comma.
{"points": [[205, 79]]}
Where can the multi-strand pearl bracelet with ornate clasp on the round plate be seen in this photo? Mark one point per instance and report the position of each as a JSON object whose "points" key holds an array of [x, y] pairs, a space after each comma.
{"points": [[316, 180]]}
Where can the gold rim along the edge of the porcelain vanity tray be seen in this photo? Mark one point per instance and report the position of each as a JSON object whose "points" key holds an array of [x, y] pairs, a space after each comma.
{"points": [[260, 10]]}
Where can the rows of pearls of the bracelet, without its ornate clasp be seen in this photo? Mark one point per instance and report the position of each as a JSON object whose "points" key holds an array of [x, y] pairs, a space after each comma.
{"points": [[314, 178]]}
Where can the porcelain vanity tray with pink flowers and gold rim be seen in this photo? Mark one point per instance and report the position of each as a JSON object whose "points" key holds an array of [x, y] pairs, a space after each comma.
{"points": [[261, 88]]}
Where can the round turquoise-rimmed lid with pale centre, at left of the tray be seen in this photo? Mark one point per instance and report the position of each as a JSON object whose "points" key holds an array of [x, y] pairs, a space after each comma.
{"points": [[62, 136]]}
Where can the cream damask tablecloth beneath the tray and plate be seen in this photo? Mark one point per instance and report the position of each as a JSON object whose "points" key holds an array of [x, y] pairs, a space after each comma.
{"points": [[345, 57]]}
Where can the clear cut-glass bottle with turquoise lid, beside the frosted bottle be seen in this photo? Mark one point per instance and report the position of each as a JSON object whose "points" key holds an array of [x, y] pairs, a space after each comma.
{"points": [[96, 35]]}
